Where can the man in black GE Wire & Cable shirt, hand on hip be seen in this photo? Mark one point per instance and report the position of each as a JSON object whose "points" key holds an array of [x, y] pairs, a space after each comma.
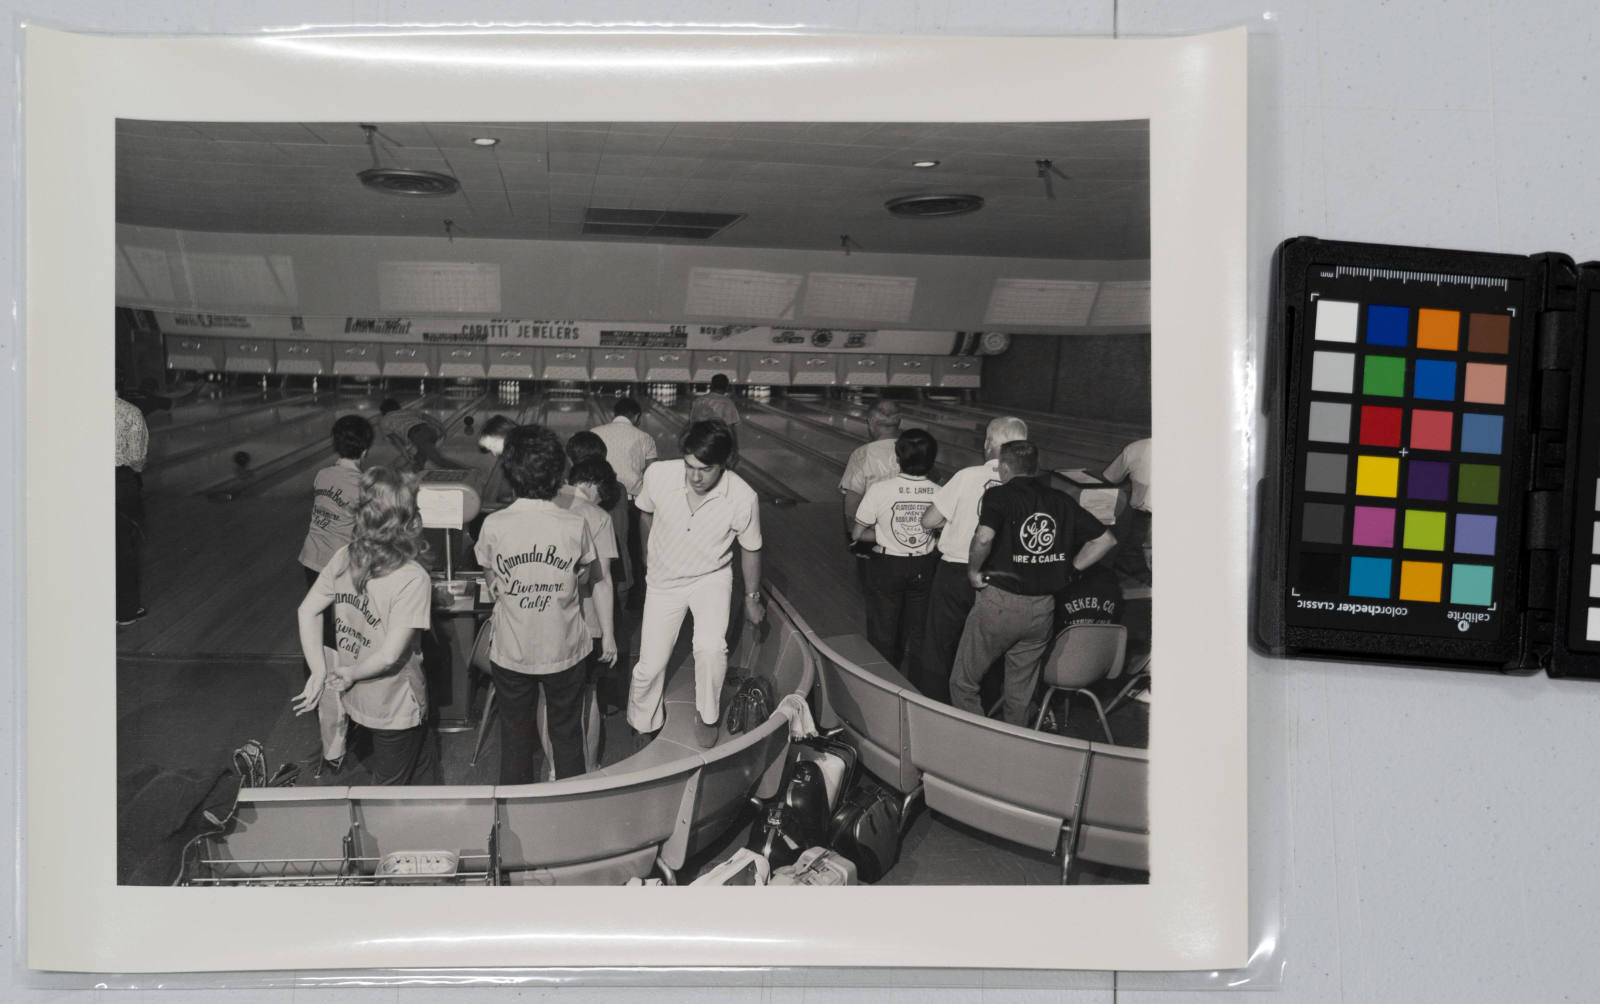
{"points": [[1031, 540]]}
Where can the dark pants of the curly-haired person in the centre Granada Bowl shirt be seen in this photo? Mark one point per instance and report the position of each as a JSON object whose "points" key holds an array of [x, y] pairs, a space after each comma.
{"points": [[518, 698]]}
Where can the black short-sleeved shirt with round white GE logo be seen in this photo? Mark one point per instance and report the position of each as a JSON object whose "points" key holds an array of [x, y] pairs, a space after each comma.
{"points": [[1038, 533]]}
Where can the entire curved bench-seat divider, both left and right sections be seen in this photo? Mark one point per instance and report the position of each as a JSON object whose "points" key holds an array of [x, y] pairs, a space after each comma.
{"points": [[655, 810]]}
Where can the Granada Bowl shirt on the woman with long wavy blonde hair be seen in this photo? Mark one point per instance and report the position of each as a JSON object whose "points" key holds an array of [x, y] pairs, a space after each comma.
{"points": [[399, 602]]}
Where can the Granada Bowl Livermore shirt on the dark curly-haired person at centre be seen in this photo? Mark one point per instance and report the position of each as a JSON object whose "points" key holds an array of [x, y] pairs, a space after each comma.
{"points": [[532, 552]]}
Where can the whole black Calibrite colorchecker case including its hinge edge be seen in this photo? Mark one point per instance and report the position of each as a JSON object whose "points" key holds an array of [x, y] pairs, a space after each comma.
{"points": [[1433, 487]]}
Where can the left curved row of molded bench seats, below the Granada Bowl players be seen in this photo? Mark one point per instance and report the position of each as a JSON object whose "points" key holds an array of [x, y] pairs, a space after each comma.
{"points": [[649, 811]]}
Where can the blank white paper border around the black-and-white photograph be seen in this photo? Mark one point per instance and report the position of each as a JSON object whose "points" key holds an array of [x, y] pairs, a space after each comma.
{"points": [[1193, 914]]}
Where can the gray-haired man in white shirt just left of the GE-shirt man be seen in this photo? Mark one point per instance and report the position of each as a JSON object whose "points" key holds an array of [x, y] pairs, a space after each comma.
{"points": [[951, 599]]}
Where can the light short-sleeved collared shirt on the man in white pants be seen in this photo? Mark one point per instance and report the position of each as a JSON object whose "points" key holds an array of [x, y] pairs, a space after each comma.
{"points": [[692, 544]]}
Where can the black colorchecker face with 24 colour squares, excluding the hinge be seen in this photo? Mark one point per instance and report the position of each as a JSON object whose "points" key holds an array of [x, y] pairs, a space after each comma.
{"points": [[1404, 512]]}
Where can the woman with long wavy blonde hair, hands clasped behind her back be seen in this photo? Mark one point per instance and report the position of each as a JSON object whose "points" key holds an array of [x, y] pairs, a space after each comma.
{"points": [[382, 599]]}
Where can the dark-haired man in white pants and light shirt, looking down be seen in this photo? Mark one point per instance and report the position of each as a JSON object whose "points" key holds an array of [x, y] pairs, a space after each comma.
{"points": [[692, 511]]}
